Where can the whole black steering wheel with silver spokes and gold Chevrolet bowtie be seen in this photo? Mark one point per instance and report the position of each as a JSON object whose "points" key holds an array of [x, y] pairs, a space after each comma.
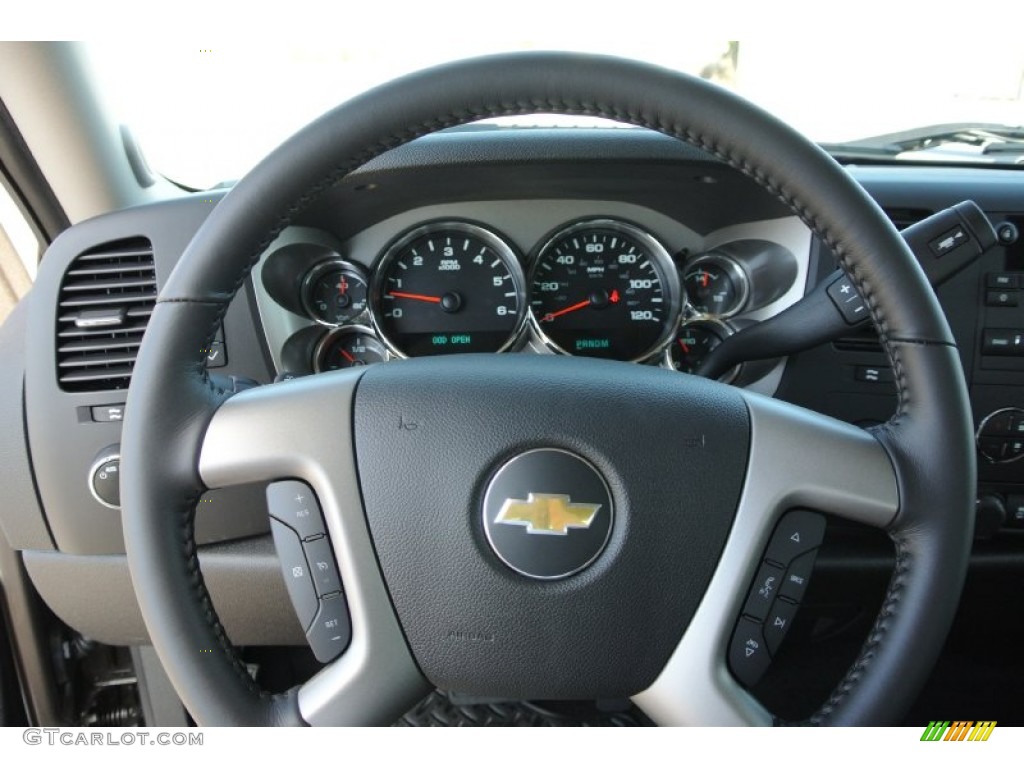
{"points": [[650, 613]]}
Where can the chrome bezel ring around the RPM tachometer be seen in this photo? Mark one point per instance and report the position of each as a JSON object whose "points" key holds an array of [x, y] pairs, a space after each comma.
{"points": [[499, 244]]}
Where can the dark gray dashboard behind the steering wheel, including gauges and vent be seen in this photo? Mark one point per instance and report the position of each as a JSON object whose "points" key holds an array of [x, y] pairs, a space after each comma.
{"points": [[611, 243]]}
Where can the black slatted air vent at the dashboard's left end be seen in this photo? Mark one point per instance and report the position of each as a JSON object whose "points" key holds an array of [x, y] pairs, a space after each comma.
{"points": [[106, 301]]}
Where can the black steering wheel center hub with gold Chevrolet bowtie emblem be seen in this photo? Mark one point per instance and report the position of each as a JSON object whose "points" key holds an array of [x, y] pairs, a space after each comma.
{"points": [[526, 509]]}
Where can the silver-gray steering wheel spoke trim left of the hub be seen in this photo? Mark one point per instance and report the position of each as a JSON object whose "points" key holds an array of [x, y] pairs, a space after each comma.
{"points": [[281, 432]]}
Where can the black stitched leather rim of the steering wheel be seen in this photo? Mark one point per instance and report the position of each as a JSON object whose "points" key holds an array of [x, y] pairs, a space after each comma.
{"points": [[173, 400]]}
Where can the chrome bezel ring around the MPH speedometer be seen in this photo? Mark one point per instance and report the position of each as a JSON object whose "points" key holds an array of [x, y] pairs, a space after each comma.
{"points": [[659, 253]]}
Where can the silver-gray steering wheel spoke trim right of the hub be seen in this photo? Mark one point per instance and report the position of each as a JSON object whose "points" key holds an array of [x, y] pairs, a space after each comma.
{"points": [[798, 459]]}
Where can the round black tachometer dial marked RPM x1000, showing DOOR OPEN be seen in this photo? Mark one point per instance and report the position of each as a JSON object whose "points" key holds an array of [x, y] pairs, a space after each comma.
{"points": [[447, 288]]}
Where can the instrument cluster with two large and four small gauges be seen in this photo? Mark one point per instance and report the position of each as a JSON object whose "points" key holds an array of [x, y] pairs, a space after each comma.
{"points": [[598, 287]]}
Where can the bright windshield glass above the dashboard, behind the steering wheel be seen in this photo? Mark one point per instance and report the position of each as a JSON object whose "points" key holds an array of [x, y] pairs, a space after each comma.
{"points": [[204, 116]]}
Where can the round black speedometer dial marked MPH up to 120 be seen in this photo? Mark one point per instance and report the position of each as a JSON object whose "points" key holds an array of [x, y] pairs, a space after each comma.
{"points": [[605, 288]]}
